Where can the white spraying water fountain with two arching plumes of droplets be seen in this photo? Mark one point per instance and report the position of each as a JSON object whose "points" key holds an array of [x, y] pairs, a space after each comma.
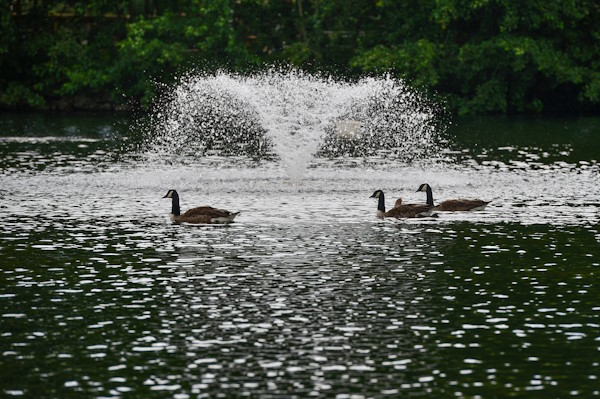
{"points": [[292, 116]]}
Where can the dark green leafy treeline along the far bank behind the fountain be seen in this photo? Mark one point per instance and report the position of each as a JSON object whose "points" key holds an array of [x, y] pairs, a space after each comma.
{"points": [[479, 56]]}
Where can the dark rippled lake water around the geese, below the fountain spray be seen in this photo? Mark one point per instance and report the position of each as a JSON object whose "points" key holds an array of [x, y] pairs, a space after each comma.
{"points": [[308, 293]]}
